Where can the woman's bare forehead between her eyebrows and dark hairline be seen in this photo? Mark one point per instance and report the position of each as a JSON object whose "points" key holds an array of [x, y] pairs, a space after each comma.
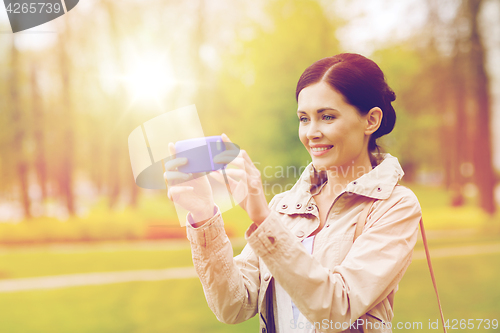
{"points": [[320, 95]]}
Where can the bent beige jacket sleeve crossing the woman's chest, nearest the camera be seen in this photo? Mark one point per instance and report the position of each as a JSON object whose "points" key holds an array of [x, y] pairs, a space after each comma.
{"points": [[373, 267]]}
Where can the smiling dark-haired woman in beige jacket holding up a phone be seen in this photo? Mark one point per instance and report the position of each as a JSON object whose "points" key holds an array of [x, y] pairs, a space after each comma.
{"points": [[307, 266]]}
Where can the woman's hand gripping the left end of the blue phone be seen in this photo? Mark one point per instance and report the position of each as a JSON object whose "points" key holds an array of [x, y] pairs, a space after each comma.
{"points": [[192, 193]]}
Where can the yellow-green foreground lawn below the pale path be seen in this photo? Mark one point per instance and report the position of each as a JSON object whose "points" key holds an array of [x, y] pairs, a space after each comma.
{"points": [[468, 287]]}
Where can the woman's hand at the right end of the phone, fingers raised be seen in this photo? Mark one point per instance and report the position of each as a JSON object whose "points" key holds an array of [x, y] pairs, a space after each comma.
{"points": [[248, 191]]}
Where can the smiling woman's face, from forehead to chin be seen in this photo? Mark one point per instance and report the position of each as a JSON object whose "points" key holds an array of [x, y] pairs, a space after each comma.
{"points": [[331, 129]]}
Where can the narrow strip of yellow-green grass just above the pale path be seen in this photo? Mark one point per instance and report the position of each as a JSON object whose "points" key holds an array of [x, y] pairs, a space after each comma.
{"points": [[43, 261]]}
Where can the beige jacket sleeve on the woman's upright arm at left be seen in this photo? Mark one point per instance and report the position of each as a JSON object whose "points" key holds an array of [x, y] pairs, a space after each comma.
{"points": [[231, 285]]}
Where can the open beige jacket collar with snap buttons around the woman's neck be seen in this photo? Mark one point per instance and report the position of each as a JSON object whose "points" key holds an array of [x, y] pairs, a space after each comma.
{"points": [[378, 184]]}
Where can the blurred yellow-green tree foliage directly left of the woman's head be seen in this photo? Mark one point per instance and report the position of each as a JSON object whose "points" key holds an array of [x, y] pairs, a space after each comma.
{"points": [[258, 81]]}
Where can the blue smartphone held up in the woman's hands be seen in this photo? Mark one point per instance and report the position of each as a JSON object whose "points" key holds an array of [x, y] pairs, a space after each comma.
{"points": [[200, 153]]}
